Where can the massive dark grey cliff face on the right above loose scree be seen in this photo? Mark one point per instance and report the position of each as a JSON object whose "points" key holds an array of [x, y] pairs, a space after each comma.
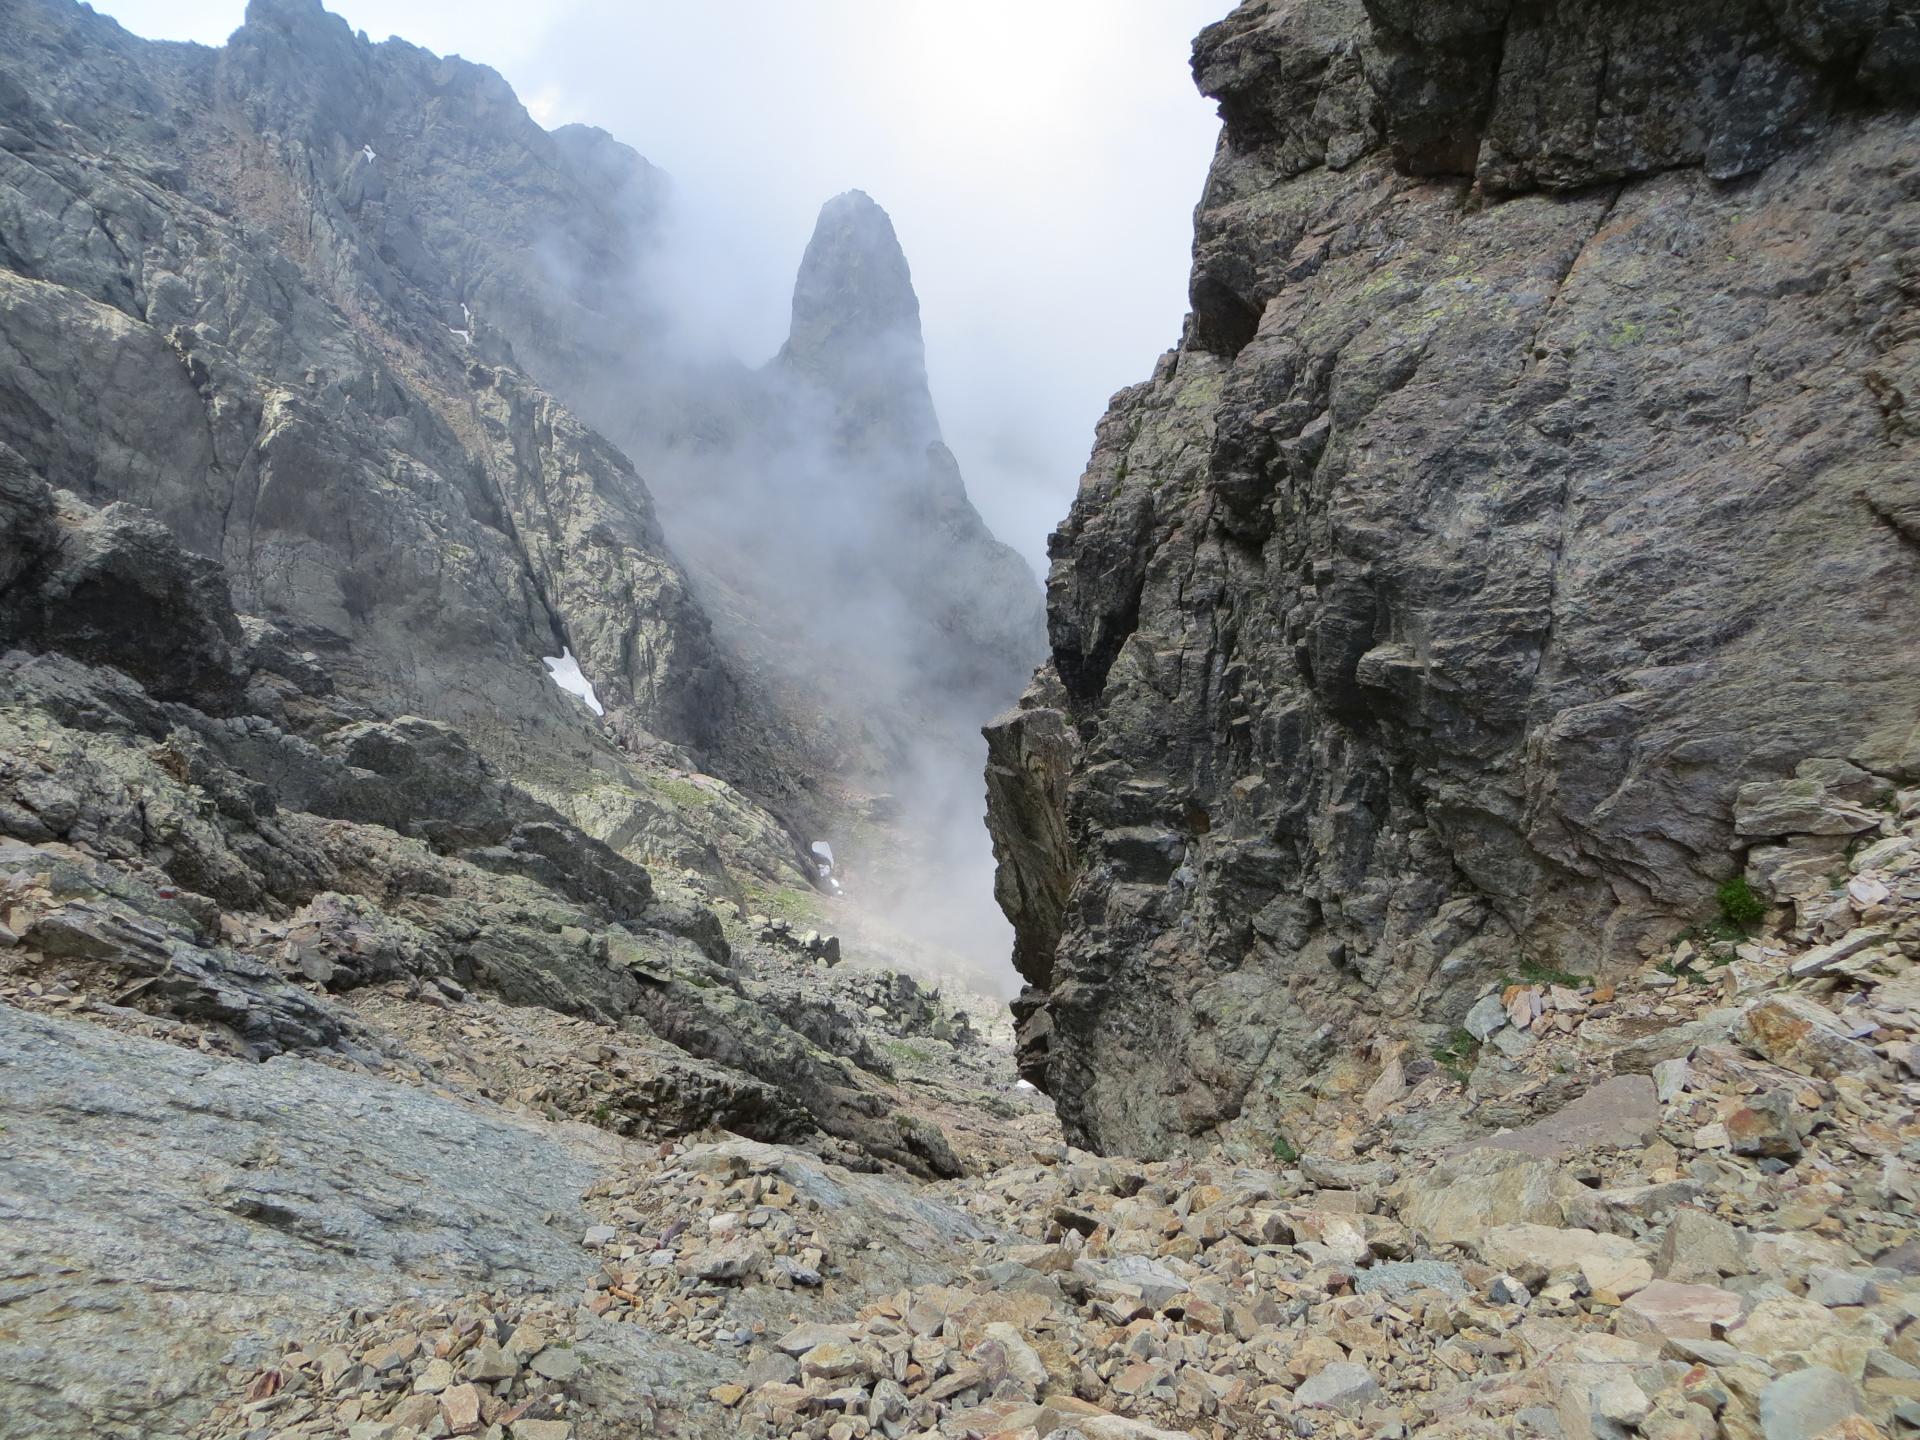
{"points": [[1537, 469]]}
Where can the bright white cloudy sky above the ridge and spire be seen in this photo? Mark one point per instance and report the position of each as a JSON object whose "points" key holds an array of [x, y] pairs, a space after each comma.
{"points": [[1040, 162]]}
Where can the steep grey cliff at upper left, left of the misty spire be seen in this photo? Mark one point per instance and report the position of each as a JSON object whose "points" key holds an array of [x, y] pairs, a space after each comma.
{"points": [[224, 304]]}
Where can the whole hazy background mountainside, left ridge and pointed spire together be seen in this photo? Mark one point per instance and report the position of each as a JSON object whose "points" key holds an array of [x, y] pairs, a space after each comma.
{"points": [[327, 310]]}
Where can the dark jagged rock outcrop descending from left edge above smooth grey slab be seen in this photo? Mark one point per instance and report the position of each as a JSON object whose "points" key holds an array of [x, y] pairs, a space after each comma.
{"points": [[160, 817]]}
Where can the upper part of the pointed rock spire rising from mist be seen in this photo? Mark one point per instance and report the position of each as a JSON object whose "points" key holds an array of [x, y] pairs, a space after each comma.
{"points": [[857, 325]]}
